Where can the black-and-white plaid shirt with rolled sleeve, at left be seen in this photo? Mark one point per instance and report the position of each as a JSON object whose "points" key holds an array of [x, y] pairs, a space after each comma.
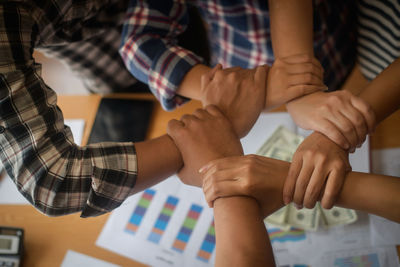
{"points": [[36, 148]]}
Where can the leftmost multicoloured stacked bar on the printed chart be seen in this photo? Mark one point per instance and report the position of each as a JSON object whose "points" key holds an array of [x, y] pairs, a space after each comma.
{"points": [[140, 210]]}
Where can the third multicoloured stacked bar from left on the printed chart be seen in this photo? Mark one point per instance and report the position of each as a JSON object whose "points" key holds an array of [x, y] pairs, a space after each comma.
{"points": [[187, 228]]}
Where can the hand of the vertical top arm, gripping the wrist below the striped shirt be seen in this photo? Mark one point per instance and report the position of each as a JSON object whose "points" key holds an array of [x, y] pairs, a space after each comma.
{"points": [[341, 116]]}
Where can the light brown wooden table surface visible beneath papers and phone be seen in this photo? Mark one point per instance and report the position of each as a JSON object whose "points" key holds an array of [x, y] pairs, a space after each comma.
{"points": [[48, 239]]}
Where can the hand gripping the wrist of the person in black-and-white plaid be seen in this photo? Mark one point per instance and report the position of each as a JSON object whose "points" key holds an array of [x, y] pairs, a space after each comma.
{"points": [[206, 135]]}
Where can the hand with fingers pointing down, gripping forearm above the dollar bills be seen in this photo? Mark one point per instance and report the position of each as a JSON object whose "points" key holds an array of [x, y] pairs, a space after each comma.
{"points": [[318, 169]]}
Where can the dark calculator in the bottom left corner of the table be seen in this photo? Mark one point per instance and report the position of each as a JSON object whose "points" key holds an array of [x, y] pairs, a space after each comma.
{"points": [[11, 246]]}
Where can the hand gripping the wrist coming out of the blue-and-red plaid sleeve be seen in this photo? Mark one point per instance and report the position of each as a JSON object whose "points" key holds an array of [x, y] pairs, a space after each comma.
{"points": [[239, 93]]}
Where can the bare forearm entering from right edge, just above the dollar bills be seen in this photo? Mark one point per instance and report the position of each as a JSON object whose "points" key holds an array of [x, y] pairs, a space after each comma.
{"points": [[372, 193]]}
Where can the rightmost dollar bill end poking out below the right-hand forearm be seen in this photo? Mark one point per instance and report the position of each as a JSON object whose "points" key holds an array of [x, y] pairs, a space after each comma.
{"points": [[336, 216]]}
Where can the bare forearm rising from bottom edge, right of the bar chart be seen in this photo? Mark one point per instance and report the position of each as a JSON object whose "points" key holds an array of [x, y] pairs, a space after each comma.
{"points": [[241, 237]]}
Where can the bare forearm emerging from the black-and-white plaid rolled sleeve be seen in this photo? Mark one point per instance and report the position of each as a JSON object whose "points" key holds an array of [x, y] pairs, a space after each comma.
{"points": [[157, 159]]}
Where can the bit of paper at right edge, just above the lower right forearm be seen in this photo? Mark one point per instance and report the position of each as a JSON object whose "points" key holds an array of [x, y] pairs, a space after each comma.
{"points": [[386, 161]]}
